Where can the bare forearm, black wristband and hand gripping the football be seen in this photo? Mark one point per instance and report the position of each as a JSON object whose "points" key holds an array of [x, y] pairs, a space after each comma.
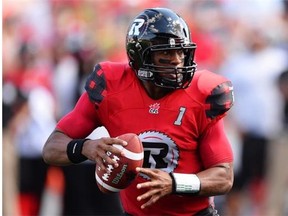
{"points": [[56, 150]]}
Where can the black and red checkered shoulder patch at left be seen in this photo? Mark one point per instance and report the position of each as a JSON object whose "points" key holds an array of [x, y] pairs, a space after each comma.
{"points": [[96, 85]]}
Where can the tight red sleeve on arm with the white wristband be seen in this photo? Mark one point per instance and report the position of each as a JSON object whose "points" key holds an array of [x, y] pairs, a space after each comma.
{"points": [[214, 146]]}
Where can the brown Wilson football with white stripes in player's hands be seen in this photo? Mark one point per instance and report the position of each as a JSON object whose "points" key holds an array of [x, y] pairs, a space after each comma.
{"points": [[114, 179]]}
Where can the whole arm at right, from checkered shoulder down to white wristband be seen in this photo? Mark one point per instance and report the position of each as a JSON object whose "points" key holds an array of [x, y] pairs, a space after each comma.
{"points": [[214, 147]]}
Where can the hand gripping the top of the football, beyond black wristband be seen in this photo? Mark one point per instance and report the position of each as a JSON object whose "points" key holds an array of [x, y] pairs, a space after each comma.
{"points": [[96, 150]]}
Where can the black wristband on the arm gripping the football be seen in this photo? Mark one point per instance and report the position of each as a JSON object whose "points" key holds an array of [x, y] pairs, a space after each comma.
{"points": [[74, 151]]}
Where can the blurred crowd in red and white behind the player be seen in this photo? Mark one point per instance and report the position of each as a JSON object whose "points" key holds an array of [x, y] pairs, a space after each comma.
{"points": [[50, 46]]}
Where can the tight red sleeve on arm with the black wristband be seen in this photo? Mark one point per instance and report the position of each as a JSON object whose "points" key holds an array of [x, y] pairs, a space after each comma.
{"points": [[81, 121]]}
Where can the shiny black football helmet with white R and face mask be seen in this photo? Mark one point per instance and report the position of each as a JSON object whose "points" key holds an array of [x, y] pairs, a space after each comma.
{"points": [[160, 29]]}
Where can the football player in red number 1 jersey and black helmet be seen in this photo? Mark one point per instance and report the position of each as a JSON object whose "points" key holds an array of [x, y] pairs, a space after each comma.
{"points": [[175, 110]]}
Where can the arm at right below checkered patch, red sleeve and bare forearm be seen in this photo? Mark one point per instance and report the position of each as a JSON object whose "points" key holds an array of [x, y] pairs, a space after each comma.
{"points": [[217, 156]]}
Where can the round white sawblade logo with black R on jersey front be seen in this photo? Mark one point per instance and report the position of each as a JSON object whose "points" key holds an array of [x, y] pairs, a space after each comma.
{"points": [[160, 151]]}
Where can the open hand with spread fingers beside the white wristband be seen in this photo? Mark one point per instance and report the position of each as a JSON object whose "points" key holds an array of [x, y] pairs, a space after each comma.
{"points": [[160, 185]]}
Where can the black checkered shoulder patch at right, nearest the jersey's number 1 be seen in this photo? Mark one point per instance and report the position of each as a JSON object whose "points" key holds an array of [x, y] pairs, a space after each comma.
{"points": [[220, 100]]}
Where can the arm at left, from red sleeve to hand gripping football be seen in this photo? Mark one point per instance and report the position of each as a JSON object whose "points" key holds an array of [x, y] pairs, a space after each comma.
{"points": [[67, 143]]}
